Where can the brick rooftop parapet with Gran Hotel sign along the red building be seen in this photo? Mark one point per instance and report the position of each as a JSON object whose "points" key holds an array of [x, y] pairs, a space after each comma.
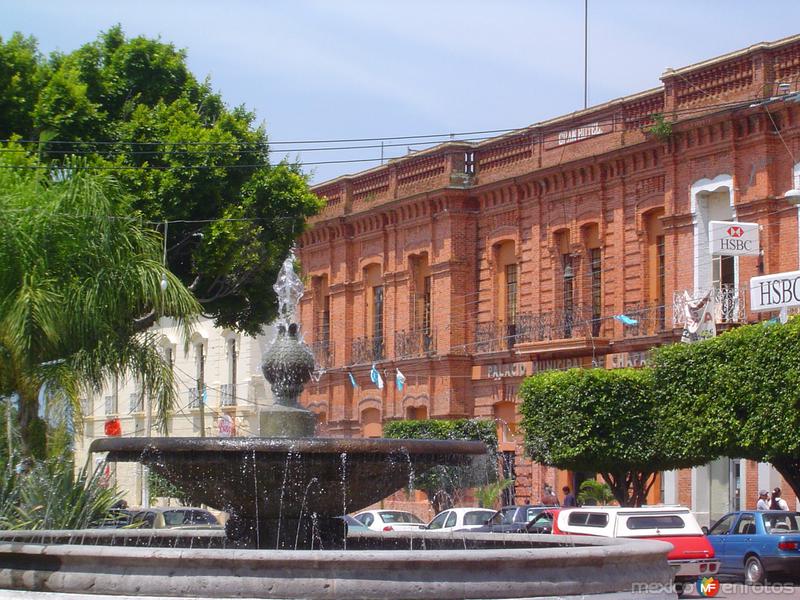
{"points": [[742, 76]]}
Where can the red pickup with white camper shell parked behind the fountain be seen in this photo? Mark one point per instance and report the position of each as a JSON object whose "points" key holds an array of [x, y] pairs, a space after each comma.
{"points": [[692, 555]]}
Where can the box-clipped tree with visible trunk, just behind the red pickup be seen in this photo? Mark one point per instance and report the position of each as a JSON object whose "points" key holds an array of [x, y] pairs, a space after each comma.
{"points": [[600, 420]]}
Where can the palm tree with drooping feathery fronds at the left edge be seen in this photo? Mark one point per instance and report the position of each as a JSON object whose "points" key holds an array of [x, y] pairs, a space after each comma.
{"points": [[79, 275]]}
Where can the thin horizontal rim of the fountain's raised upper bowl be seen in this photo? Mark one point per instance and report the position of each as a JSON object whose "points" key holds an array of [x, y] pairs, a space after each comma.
{"points": [[283, 445]]}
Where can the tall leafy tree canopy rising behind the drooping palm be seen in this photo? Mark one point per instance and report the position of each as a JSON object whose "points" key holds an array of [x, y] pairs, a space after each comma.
{"points": [[131, 106]]}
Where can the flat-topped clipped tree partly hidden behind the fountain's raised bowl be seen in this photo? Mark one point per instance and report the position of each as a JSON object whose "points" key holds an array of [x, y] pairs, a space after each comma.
{"points": [[444, 484]]}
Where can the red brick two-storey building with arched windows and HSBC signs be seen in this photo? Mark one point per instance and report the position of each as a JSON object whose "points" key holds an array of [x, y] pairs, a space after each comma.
{"points": [[472, 265]]}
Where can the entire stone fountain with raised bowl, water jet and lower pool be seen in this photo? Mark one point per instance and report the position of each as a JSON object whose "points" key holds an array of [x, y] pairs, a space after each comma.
{"points": [[283, 539]]}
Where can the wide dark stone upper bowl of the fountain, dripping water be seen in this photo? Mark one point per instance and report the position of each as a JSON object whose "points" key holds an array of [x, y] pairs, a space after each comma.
{"points": [[273, 478]]}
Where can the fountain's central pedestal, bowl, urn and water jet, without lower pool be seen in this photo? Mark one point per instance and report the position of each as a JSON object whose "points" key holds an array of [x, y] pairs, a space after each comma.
{"points": [[209, 470]]}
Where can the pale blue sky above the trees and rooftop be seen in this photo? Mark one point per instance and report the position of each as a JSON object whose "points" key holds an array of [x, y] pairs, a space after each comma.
{"points": [[351, 69]]}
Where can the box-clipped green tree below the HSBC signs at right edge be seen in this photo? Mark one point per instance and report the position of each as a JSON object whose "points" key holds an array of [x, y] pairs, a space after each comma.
{"points": [[736, 395]]}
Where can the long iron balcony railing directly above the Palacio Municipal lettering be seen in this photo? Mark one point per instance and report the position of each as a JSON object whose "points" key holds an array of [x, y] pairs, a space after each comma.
{"points": [[536, 327]]}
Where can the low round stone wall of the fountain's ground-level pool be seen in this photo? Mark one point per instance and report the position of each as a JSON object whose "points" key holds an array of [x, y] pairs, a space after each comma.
{"points": [[447, 566]]}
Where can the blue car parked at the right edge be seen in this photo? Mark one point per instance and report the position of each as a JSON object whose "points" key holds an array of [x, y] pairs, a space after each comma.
{"points": [[756, 544]]}
